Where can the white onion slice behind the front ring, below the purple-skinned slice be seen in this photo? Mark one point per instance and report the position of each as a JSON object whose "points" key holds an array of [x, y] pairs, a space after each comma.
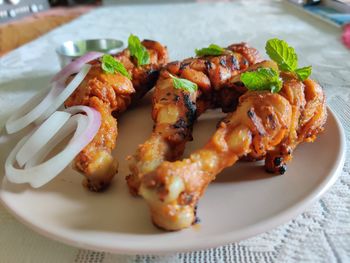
{"points": [[53, 100]]}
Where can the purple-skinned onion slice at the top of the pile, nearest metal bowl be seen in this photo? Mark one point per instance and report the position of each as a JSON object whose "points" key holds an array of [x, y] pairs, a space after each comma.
{"points": [[76, 65]]}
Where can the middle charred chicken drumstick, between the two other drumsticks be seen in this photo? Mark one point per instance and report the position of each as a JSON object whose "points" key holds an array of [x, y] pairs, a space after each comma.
{"points": [[175, 110]]}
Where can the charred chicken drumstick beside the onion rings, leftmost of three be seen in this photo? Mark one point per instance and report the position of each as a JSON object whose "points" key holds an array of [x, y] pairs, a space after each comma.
{"points": [[111, 94]]}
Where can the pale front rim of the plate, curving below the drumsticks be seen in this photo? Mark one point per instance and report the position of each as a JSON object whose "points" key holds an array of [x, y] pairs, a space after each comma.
{"points": [[215, 240]]}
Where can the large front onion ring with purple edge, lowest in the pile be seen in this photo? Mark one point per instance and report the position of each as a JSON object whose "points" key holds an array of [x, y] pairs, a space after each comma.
{"points": [[85, 127]]}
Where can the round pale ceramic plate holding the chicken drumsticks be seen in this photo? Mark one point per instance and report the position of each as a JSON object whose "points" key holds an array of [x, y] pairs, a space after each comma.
{"points": [[242, 202]]}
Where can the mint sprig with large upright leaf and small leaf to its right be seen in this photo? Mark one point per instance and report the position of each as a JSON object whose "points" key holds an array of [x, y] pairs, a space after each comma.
{"points": [[286, 58]]}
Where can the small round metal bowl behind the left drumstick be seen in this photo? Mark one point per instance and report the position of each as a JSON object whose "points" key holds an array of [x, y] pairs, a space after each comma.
{"points": [[71, 50]]}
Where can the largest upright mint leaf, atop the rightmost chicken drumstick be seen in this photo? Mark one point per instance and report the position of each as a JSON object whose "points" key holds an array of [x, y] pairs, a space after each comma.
{"points": [[284, 55]]}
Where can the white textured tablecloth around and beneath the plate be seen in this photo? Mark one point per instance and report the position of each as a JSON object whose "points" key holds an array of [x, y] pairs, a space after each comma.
{"points": [[322, 233]]}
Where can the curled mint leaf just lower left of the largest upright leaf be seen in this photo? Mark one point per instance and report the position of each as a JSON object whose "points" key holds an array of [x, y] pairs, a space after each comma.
{"points": [[262, 79]]}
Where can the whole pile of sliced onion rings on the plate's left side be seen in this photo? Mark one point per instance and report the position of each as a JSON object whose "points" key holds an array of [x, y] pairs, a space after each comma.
{"points": [[26, 163]]}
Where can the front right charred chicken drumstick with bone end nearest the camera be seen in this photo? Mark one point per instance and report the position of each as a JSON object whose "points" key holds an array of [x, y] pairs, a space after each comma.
{"points": [[264, 125]]}
